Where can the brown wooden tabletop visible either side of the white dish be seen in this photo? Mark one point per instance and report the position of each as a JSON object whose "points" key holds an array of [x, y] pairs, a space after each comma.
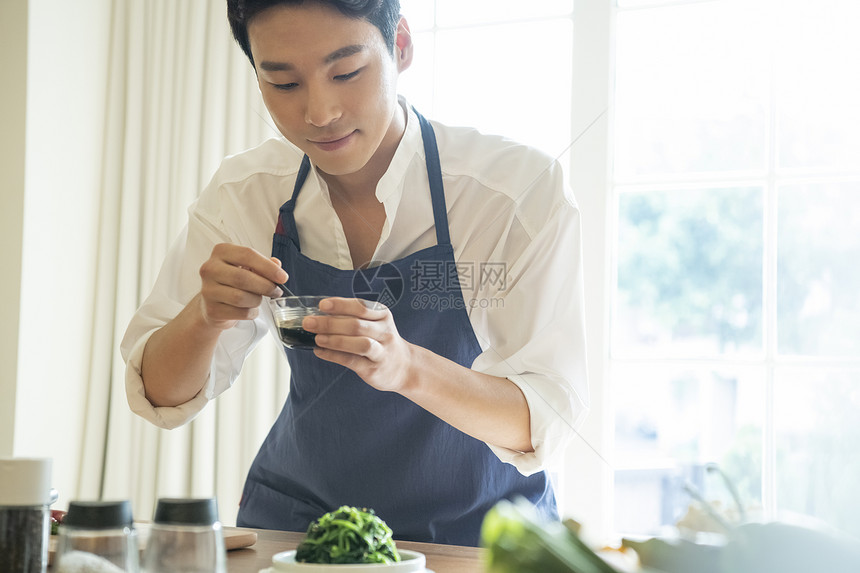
{"points": [[440, 558]]}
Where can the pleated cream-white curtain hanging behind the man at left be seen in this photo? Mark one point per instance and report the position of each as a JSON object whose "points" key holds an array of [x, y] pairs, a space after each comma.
{"points": [[181, 96]]}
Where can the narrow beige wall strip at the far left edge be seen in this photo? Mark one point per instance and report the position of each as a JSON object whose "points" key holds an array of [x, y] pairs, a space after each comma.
{"points": [[13, 96]]}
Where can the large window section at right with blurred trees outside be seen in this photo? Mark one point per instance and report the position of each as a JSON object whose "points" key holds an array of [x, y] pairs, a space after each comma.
{"points": [[735, 324]]}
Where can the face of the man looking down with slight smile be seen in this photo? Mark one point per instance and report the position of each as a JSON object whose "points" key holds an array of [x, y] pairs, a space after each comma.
{"points": [[329, 83]]}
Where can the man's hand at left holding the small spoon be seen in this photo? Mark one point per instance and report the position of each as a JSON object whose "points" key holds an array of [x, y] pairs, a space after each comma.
{"points": [[235, 280]]}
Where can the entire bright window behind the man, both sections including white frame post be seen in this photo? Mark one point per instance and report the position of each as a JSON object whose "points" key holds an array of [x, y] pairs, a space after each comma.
{"points": [[719, 195]]}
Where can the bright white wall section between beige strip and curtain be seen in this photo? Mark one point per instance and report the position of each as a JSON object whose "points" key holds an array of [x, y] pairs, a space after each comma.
{"points": [[66, 63]]}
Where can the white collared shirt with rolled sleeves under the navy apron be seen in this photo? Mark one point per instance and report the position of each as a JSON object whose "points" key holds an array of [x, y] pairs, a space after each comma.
{"points": [[510, 215]]}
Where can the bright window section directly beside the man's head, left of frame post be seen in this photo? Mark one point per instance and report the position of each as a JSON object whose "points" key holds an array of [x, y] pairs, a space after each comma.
{"points": [[502, 67]]}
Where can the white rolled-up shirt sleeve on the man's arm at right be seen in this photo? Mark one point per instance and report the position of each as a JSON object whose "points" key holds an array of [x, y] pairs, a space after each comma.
{"points": [[535, 329]]}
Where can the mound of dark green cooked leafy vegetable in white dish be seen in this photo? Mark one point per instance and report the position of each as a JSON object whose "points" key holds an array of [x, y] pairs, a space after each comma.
{"points": [[348, 535]]}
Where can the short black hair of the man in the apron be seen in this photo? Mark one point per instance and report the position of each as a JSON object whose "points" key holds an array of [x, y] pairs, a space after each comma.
{"points": [[384, 14]]}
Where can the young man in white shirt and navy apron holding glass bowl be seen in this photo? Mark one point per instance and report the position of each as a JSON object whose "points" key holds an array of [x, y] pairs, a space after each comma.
{"points": [[428, 409]]}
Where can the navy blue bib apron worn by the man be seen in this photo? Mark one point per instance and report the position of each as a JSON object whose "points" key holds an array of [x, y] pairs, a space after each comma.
{"points": [[338, 441]]}
